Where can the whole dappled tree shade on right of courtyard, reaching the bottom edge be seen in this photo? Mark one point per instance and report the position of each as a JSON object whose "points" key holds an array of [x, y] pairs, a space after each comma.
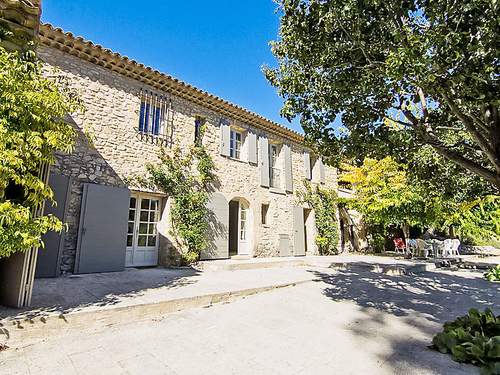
{"points": [[406, 311]]}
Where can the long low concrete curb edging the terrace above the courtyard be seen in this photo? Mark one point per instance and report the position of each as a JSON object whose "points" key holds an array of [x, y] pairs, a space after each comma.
{"points": [[19, 332]]}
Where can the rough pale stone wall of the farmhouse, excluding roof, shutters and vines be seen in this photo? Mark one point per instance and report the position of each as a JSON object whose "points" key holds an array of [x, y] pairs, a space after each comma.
{"points": [[109, 151]]}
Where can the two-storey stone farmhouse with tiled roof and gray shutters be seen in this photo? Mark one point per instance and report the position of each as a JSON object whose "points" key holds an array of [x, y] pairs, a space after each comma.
{"points": [[131, 111]]}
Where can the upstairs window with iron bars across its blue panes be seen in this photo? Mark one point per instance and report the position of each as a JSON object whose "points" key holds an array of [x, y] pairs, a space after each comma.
{"points": [[155, 115]]}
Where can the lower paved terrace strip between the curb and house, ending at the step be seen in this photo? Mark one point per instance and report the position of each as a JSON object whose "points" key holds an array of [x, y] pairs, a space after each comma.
{"points": [[86, 293]]}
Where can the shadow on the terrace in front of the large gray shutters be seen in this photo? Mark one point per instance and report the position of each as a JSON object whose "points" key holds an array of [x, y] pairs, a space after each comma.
{"points": [[76, 292]]}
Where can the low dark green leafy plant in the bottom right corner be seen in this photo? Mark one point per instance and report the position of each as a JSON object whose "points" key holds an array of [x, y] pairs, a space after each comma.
{"points": [[473, 338]]}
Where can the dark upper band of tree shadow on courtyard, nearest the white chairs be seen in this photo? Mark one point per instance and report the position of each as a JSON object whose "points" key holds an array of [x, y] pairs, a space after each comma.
{"points": [[436, 295]]}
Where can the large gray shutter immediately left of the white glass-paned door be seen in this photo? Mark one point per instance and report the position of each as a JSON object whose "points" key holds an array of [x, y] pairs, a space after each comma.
{"points": [[102, 236]]}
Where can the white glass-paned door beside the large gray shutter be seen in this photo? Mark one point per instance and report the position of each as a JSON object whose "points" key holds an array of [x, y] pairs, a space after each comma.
{"points": [[142, 236]]}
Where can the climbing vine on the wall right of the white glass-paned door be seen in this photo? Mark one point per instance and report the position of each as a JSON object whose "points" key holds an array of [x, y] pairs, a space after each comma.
{"points": [[190, 189]]}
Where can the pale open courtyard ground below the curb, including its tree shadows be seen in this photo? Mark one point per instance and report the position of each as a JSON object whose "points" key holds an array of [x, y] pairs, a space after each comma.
{"points": [[348, 322]]}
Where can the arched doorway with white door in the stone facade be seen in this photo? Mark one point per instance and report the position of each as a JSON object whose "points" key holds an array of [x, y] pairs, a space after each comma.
{"points": [[240, 227]]}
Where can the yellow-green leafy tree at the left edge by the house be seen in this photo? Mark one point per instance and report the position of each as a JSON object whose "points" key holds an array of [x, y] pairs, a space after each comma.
{"points": [[32, 128]]}
